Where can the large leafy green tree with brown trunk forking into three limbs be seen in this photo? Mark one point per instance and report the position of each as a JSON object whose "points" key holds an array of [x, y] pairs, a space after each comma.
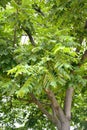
{"points": [[51, 68]]}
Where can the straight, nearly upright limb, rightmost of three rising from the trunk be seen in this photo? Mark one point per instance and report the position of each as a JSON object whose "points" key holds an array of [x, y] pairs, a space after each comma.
{"points": [[68, 102]]}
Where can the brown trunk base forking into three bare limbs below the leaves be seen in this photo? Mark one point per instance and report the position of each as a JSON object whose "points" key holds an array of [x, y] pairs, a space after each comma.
{"points": [[61, 119]]}
